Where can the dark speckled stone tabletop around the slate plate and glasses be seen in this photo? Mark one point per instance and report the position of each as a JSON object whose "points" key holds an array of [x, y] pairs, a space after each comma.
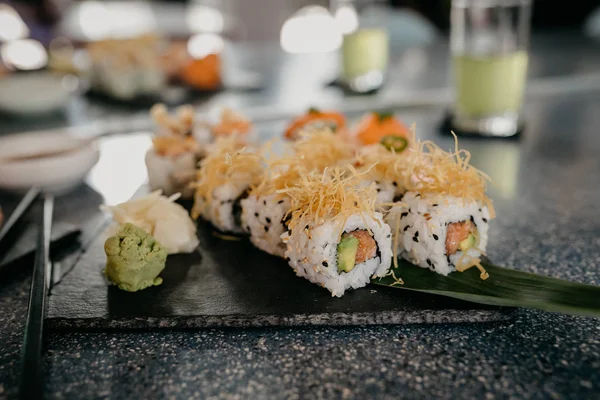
{"points": [[547, 196]]}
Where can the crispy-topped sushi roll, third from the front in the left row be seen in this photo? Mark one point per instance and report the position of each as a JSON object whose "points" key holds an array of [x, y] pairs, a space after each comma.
{"points": [[224, 179]]}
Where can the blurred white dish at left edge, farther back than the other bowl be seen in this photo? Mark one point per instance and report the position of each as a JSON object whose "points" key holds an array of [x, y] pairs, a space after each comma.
{"points": [[33, 93]]}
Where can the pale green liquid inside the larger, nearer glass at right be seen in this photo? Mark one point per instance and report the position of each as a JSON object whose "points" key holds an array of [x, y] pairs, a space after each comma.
{"points": [[489, 85]]}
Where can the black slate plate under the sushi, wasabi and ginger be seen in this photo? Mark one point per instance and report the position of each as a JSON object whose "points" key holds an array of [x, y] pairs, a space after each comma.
{"points": [[231, 284]]}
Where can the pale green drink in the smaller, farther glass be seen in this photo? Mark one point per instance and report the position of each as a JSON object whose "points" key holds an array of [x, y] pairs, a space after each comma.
{"points": [[364, 58]]}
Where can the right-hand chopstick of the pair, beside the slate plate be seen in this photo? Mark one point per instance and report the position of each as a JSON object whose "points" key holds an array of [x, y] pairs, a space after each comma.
{"points": [[32, 379]]}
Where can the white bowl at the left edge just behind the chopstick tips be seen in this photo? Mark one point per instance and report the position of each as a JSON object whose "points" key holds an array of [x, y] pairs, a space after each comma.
{"points": [[55, 173]]}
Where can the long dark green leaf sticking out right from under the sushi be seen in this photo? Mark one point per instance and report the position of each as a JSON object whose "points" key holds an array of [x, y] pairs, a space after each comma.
{"points": [[504, 287]]}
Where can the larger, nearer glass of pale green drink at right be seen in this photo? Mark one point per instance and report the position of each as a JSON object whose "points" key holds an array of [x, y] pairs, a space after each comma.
{"points": [[489, 40]]}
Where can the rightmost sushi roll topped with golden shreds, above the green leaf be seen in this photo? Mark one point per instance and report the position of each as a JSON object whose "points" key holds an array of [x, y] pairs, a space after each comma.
{"points": [[441, 223]]}
